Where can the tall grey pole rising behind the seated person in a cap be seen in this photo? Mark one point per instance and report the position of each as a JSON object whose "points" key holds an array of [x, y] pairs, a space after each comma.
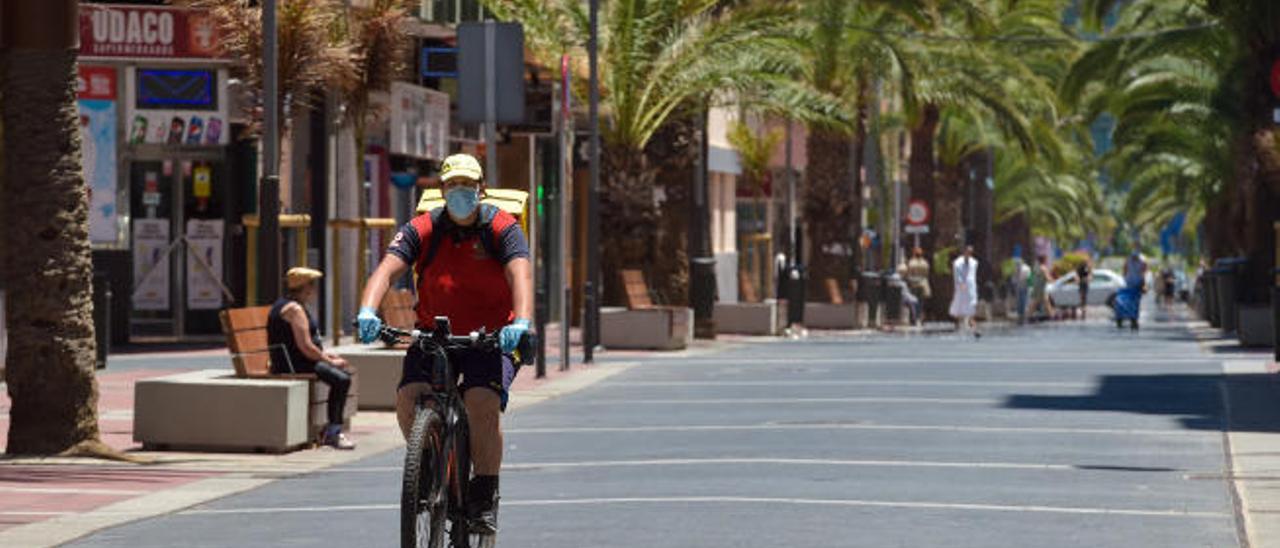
{"points": [[269, 190]]}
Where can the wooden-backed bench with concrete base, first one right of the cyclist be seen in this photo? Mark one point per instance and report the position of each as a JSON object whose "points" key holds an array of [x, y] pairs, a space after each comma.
{"points": [[643, 325]]}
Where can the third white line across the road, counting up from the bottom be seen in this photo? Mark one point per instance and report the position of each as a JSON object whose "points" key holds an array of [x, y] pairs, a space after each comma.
{"points": [[861, 427]]}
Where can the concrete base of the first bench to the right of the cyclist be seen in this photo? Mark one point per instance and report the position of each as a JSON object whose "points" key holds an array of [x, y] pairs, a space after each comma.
{"points": [[661, 328]]}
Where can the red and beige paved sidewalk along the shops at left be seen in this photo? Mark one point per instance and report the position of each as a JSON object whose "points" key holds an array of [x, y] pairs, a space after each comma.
{"points": [[51, 501]]}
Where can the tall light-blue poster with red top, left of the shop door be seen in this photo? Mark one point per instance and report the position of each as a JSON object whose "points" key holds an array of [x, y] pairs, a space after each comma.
{"points": [[97, 104]]}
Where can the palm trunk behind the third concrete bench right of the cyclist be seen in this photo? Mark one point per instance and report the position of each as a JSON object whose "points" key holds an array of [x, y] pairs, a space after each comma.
{"points": [[829, 211]]}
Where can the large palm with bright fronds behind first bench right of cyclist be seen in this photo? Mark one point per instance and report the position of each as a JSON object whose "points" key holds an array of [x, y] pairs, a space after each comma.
{"points": [[662, 63]]}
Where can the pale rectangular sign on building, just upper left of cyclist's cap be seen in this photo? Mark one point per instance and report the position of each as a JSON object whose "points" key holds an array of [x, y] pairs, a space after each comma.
{"points": [[419, 122]]}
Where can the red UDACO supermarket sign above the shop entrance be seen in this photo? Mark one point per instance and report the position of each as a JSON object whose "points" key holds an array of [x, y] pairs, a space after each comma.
{"points": [[150, 33]]}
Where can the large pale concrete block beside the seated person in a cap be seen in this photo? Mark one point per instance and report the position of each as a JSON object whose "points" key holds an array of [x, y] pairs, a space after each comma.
{"points": [[213, 410]]}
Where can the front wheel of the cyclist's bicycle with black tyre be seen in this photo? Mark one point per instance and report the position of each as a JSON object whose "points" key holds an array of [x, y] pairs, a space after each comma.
{"points": [[424, 504]]}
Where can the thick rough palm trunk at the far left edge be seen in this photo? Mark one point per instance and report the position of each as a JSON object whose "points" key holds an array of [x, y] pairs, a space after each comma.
{"points": [[47, 266]]}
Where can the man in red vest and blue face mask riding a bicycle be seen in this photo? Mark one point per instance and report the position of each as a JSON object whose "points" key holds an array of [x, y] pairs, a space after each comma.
{"points": [[472, 264]]}
